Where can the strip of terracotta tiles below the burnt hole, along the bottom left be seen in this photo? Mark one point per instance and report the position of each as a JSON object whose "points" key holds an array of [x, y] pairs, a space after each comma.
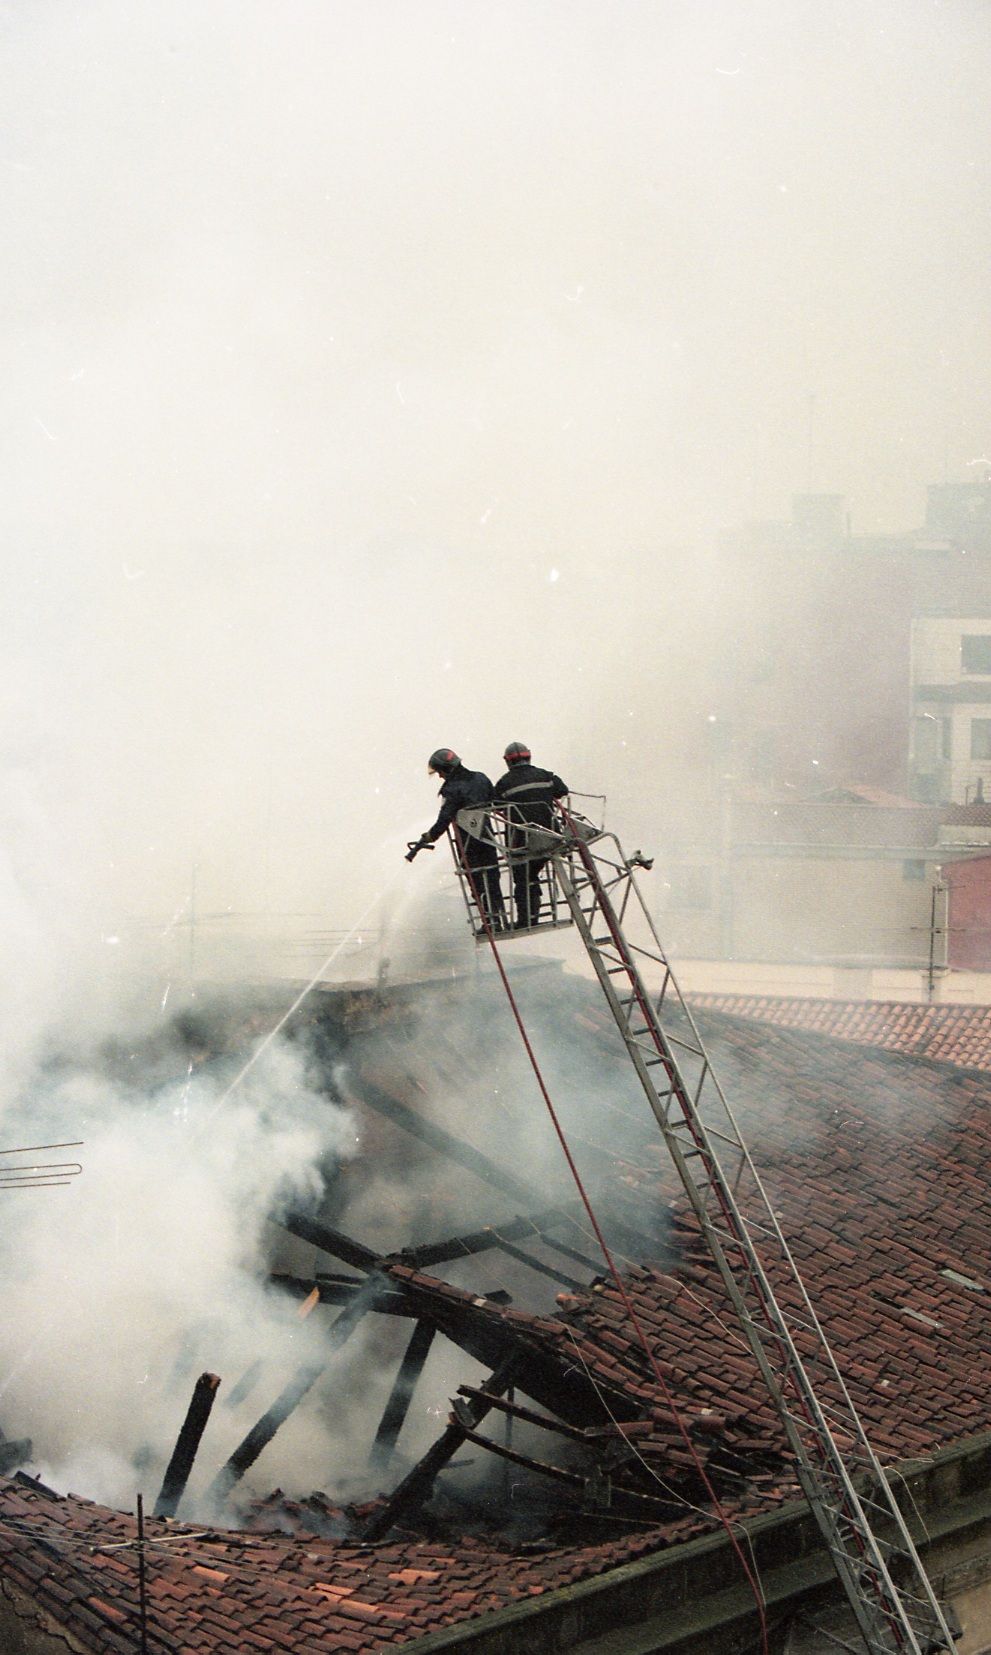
{"points": [[229, 1593]]}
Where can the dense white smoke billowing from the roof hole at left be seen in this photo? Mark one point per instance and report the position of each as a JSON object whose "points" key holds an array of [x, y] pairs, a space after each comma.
{"points": [[158, 1249]]}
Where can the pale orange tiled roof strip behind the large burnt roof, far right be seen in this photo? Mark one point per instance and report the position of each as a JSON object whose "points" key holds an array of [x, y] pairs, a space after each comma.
{"points": [[960, 1035]]}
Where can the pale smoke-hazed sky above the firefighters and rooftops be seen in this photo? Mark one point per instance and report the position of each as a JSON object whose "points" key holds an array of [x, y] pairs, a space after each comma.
{"points": [[378, 375]]}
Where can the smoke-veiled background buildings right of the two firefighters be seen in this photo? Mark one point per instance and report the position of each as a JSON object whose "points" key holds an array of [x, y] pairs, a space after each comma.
{"points": [[843, 769]]}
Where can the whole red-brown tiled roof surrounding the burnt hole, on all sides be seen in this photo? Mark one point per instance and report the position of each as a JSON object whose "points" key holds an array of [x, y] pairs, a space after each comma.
{"points": [[876, 1164]]}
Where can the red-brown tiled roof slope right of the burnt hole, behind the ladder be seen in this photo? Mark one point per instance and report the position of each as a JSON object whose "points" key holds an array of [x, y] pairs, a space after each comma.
{"points": [[876, 1166]]}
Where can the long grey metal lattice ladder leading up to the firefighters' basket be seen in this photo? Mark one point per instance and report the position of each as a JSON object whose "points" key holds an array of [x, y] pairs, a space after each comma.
{"points": [[828, 1442]]}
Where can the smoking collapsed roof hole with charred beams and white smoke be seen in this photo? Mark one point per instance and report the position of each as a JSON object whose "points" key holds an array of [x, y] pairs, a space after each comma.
{"points": [[340, 1249]]}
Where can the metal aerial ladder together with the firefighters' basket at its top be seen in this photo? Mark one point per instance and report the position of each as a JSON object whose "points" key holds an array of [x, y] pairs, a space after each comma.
{"points": [[590, 883]]}
